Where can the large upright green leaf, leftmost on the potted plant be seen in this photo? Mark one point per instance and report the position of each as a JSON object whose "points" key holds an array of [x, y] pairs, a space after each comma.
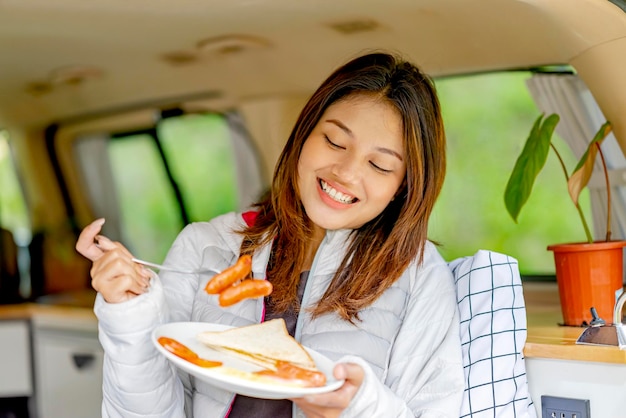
{"points": [[529, 163]]}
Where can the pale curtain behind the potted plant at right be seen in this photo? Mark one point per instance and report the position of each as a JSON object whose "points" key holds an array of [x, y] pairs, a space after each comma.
{"points": [[568, 96]]}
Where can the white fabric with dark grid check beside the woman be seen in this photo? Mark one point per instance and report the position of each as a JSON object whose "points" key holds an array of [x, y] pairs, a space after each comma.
{"points": [[493, 334]]}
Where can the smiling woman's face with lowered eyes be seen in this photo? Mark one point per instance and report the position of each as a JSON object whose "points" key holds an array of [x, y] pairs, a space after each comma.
{"points": [[352, 164]]}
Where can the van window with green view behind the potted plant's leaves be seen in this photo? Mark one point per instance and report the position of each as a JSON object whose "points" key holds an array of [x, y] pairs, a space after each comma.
{"points": [[488, 118]]}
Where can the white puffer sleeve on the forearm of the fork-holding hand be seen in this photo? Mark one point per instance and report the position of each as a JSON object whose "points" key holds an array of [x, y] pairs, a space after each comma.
{"points": [[137, 380]]}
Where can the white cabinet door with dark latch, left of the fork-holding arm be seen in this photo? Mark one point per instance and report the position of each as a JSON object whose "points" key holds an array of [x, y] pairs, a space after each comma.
{"points": [[68, 374]]}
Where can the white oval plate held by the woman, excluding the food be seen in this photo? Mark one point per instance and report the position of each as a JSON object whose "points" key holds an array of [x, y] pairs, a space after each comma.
{"points": [[186, 332]]}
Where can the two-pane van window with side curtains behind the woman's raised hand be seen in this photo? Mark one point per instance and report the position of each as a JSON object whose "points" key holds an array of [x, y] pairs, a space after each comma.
{"points": [[184, 169]]}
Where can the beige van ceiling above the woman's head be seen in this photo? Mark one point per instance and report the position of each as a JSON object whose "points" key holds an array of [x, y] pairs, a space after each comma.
{"points": [[63, 58]]}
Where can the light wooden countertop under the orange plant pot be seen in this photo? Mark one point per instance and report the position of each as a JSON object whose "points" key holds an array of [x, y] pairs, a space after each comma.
{"points": [[548, 339]]}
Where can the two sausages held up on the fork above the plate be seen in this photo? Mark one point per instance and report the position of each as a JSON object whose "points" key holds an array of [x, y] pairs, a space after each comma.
{"points": [[233, 286]]}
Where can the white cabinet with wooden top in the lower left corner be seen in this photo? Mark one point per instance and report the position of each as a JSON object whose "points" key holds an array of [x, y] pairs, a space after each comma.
{"points": [[51, 359]]}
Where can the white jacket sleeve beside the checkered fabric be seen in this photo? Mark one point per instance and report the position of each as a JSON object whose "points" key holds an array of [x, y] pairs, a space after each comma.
{"points": [[425, 373]]}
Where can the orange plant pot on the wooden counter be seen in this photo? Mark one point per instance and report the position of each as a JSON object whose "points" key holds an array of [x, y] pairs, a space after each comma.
{"points": [[588, 275]]}
